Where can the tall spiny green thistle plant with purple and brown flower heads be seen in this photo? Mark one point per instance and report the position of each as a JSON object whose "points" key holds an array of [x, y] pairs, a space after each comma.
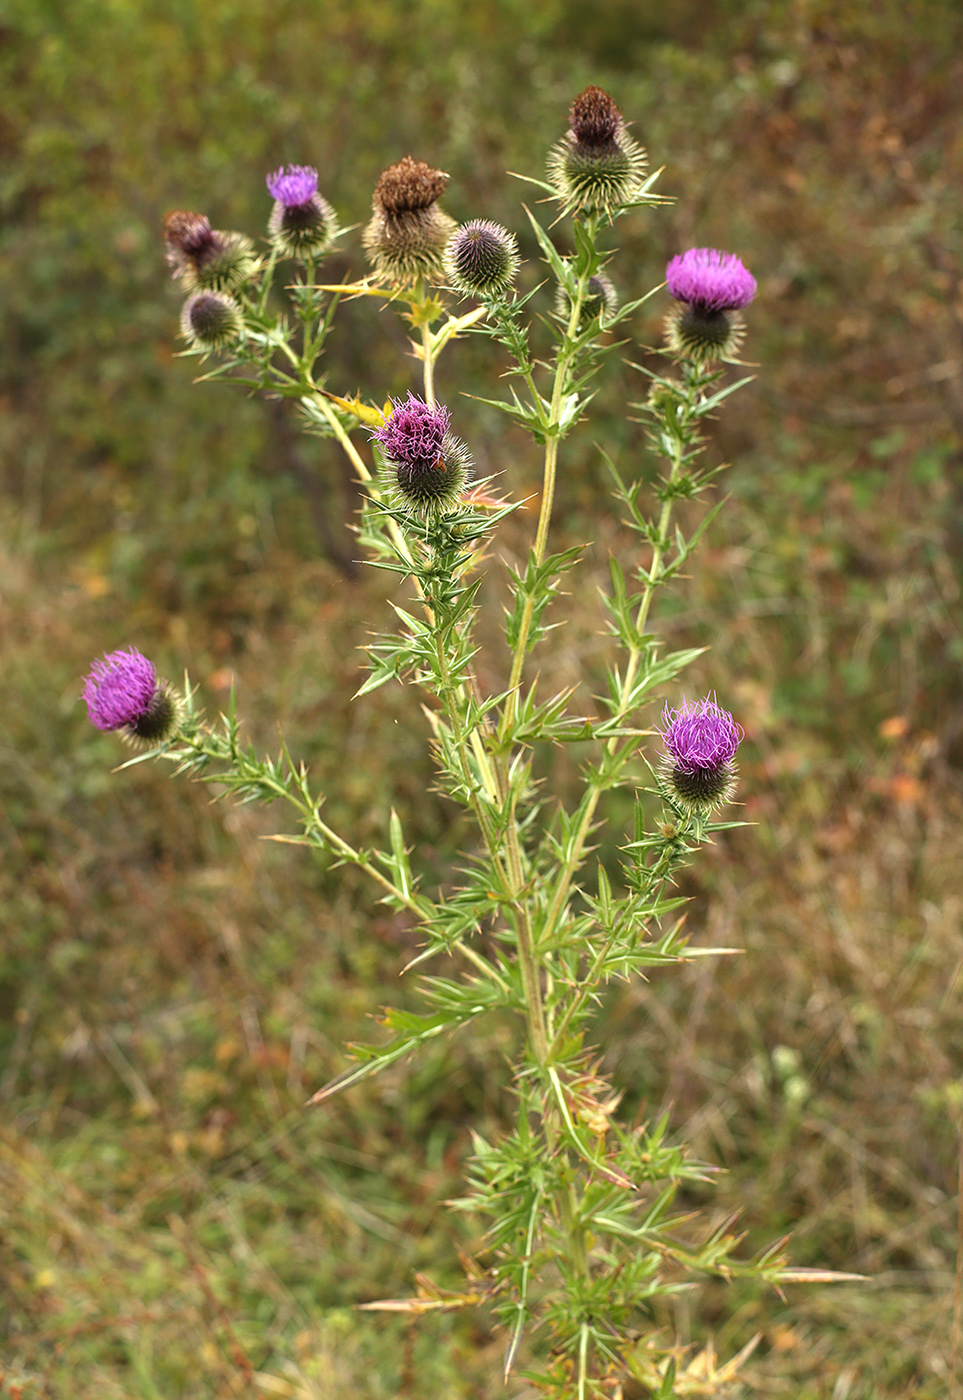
{"points": [[577, 1234]]}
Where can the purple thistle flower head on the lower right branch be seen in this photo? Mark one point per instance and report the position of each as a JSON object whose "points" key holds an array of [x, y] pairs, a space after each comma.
{"points": [[701, 744]]}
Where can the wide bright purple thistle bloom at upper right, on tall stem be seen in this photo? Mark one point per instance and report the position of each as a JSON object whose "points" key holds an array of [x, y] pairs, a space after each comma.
{"points": [[710, 288]]}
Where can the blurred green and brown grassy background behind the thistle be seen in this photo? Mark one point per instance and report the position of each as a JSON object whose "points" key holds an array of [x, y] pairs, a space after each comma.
{"points": [[171, 988]]}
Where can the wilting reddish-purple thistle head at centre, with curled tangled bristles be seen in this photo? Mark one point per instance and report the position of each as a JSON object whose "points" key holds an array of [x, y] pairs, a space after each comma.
{"points": [[428, 464]]}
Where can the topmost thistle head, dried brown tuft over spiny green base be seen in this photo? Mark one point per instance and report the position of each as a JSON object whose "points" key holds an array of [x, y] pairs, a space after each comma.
{"points": [[597, 167]]}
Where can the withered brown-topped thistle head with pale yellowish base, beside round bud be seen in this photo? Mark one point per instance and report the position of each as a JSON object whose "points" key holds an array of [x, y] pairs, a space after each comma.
{"points": [[408, 233]]}
